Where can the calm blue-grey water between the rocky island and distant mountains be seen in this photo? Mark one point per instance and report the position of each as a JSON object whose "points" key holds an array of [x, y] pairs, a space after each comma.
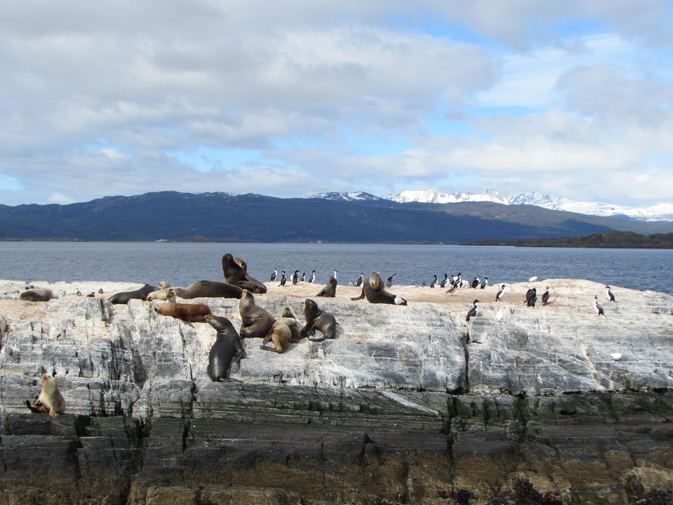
{"points": [[182, 264]]}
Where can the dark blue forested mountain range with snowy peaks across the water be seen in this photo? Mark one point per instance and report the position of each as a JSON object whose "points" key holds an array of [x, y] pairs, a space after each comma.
{"points": [[334, 217]]}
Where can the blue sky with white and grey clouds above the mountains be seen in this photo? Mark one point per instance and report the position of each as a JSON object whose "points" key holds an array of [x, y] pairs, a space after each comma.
{"points": [[299, 97]]}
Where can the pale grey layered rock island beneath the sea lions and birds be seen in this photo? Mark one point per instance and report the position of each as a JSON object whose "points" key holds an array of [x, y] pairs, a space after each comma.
{"points": [[409, 404]]}
